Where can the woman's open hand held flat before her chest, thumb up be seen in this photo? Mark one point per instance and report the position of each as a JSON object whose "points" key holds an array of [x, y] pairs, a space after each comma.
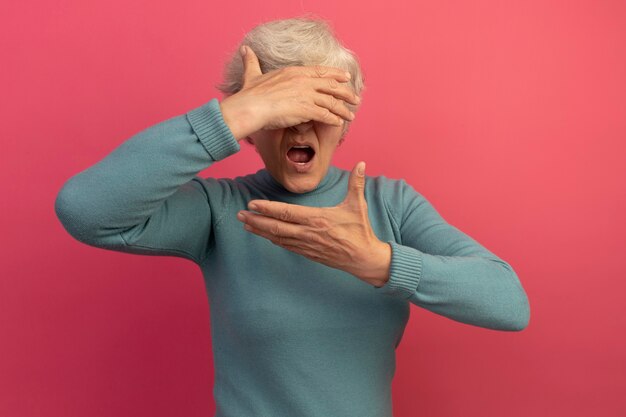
{"points": [[340, 237]]}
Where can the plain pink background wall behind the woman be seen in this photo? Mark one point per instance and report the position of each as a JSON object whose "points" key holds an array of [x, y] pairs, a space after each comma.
{"points": [[508, 116]]}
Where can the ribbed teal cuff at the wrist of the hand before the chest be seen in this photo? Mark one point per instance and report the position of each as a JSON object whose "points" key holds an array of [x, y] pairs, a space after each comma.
{"points": [[404, 273]]}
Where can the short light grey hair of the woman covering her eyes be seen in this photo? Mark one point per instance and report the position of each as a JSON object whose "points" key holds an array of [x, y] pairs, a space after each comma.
{"points": [[299, 41]]}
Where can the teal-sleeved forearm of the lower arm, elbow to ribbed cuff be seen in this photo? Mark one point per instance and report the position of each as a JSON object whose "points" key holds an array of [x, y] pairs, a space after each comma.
{"points": [[480, 291]]}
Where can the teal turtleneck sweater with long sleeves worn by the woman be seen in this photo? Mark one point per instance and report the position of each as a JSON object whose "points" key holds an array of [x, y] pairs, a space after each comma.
{"points": [[291, 337]]}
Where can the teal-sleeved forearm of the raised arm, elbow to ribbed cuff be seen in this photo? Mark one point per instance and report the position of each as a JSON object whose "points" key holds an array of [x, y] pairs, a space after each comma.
{"points": [[129, 184]]}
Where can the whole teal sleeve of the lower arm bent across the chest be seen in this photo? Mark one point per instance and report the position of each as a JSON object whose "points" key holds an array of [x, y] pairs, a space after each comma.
{"points": [[438, 267]]}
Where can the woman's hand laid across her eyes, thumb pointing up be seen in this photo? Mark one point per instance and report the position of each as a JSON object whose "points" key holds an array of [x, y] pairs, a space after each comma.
{"points": [[287, 97]]}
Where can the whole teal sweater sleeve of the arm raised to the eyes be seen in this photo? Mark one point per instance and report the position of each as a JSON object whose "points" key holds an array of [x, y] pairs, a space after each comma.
{"points": [[145, 196]]}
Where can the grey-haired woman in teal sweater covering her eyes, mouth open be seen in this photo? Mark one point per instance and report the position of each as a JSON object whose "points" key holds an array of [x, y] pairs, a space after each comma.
{"points": [[310, 270]]}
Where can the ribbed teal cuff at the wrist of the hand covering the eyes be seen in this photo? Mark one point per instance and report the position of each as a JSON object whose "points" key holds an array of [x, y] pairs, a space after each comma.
{"points": [[208, 124]]}
